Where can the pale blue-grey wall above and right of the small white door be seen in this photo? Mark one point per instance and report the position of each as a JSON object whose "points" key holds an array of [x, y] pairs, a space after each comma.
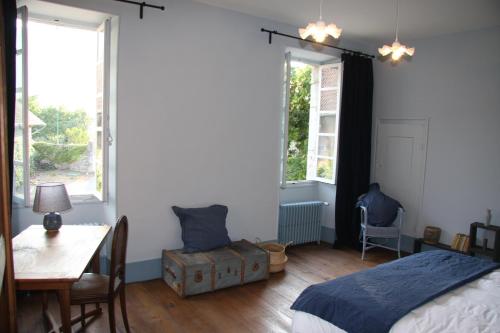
{"points": [[454, 81]]}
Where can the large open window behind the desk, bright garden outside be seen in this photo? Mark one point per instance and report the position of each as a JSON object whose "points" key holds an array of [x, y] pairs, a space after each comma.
{"points": [[61, 108]]}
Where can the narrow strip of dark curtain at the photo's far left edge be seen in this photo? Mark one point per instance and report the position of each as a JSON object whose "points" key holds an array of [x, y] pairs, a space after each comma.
{"points": [[9, 19]]}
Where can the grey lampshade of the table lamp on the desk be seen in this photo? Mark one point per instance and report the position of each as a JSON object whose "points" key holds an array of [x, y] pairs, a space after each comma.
{"points": [[51, 197]]}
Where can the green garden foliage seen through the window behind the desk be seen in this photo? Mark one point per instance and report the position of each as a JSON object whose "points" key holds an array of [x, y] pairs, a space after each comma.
{"points": [[63, 139]]}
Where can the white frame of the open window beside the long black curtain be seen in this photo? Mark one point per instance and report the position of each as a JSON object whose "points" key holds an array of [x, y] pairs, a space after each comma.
{"points": [[314, 123]]}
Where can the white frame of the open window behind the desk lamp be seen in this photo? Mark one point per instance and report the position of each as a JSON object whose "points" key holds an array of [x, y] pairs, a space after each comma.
{"points": [[105, 27]]}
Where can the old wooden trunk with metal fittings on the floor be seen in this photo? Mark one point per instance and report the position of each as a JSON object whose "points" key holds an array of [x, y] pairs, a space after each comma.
{"points": [[196, 273]]}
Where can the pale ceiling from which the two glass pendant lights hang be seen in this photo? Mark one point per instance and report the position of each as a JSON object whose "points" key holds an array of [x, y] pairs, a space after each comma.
{"points": [[374, 20]]}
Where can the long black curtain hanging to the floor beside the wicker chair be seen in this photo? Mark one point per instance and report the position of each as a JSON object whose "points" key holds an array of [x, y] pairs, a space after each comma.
{"points": [[353, 168]]}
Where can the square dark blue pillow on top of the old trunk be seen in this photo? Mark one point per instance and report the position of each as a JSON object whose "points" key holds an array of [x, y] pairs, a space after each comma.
{"points": [[203, 229]]}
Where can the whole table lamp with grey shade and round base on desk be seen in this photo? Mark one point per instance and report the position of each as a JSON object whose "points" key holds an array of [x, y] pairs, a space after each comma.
{"points": [[51, 198]]}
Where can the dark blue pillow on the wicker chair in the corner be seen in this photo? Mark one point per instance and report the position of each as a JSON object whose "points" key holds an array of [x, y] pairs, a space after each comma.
{"points": [[382, 209]]}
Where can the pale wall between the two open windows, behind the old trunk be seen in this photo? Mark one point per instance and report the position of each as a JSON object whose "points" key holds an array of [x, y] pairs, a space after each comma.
{"points": [[198, 120]]}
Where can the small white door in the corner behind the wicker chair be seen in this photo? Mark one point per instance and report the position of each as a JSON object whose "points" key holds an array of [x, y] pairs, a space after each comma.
{"points": [[400, 156]]}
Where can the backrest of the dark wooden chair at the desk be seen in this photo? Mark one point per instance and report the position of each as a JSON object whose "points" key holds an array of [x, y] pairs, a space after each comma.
{"points": [[118, 254]]}
